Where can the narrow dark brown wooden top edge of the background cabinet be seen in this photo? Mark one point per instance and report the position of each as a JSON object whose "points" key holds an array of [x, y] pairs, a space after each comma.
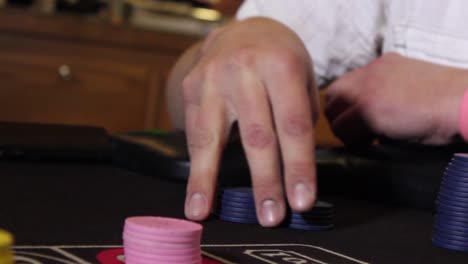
{"points": [[74, 28]]}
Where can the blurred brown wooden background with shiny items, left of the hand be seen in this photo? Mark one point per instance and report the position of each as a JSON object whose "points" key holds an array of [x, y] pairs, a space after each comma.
{"points": [[99, 62]]}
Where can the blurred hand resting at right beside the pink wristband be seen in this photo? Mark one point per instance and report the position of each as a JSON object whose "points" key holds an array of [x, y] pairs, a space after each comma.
{"points": [[399, 98]]}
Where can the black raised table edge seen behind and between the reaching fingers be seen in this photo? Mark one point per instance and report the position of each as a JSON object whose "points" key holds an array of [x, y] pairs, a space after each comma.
{"points": [[394, 172]]}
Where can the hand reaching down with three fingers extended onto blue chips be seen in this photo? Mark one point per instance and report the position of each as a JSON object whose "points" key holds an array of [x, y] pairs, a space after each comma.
{"points": [[257, 73]]}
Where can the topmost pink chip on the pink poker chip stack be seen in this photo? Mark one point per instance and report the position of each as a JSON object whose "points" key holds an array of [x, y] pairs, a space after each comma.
{"points": [[164, 226]]}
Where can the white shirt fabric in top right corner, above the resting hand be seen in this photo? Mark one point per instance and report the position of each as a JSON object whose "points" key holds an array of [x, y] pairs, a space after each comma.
{"points": [[429, 30]]}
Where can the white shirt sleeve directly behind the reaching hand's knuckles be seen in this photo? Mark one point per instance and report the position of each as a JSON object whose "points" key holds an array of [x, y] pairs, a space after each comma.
{"points": [[340, 35]]}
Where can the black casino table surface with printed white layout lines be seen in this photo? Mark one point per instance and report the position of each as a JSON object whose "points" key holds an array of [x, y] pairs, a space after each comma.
{"points": [[73, 211]]}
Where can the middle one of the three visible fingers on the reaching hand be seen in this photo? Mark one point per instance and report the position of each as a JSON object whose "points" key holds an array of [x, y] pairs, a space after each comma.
{"points": [[259, 140]]}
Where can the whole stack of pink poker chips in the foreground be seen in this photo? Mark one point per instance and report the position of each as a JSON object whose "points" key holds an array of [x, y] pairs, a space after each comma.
{"points": [[149, 239]]}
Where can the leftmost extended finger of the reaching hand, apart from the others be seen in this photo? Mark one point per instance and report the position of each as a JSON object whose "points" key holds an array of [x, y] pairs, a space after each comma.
{"points": [[206, 134]]}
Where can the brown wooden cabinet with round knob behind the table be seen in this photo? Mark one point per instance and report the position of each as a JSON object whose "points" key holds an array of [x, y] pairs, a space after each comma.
{"points": [[71, 71]]}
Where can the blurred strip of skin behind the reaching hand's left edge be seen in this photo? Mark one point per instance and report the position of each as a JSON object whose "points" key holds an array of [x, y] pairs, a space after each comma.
{"points": [[174, 85]]}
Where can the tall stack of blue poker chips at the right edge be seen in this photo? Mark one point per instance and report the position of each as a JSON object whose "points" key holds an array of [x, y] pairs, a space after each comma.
{"points": [[451, 218]]}
